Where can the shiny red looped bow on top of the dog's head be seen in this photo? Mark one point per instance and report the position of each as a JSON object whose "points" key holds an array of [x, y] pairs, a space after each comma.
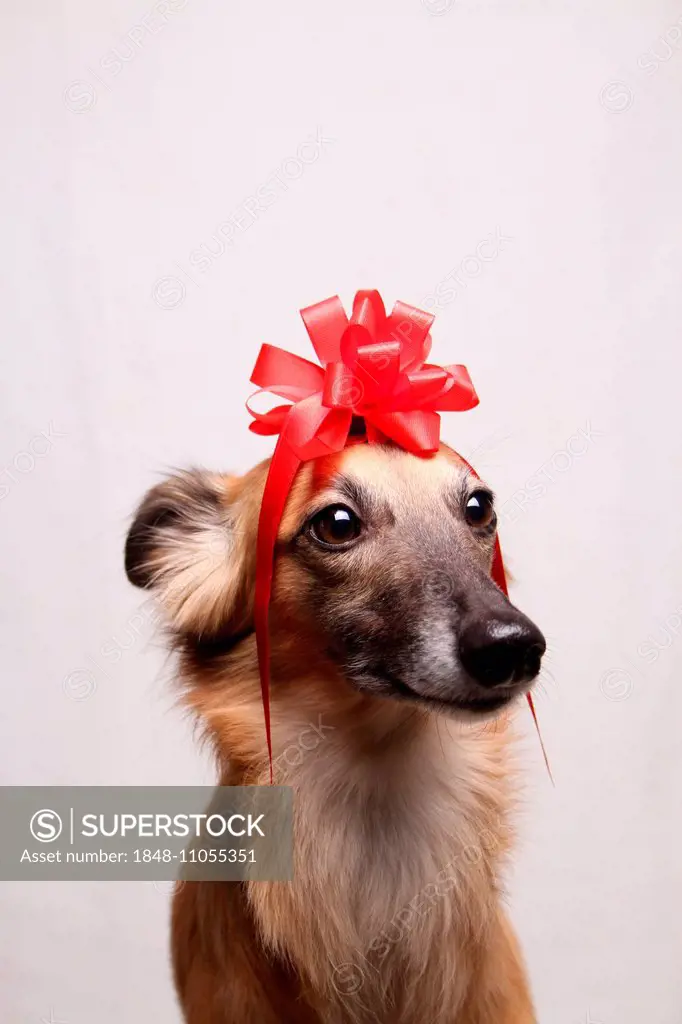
{"points": [[373, 366]]}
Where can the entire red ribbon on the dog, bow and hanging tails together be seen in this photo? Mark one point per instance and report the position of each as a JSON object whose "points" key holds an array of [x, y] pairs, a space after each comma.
{"points": [[374, 367]]}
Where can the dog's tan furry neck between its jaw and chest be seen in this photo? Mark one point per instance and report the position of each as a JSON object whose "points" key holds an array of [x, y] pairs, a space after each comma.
{"points": [[322, 727]]}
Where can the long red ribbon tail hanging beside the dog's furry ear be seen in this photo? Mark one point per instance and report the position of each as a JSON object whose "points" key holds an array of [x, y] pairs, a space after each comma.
{"points": [[283, 470]]}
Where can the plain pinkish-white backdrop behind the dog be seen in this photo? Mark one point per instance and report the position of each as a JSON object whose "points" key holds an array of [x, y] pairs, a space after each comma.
{"points": [[550, 123]]}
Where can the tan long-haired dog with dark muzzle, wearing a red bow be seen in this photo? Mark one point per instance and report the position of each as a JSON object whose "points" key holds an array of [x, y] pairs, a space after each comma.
{"points": [[391, 645]]}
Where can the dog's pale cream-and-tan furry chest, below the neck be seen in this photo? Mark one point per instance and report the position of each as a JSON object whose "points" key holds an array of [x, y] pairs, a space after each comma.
{"points": [[392, 871]]}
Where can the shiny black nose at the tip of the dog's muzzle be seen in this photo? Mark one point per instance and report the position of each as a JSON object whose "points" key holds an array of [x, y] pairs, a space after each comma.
{"points": [[498, 651]]}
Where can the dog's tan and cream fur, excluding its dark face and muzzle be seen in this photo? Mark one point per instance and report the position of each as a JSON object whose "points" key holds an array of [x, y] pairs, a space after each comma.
{"points": [[402, 815]]}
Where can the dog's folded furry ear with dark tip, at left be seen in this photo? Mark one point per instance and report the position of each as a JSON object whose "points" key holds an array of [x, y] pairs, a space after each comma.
{"points": [[193, 545]]}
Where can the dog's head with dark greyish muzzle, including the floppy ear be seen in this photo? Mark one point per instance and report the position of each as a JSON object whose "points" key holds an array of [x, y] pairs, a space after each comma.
{"points": [[382, 569]]}
